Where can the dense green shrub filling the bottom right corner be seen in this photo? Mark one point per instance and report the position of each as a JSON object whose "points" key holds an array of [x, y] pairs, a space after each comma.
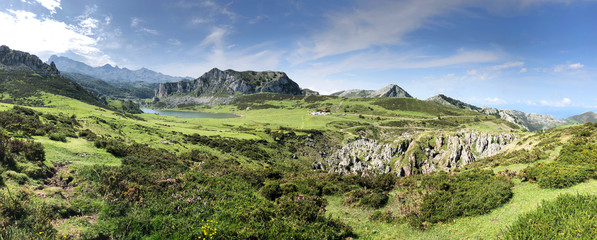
{"points": [[566, 217]]}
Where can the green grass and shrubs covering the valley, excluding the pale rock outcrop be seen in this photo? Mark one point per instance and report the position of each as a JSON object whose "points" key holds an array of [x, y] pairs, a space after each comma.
{"points": [[71, 170]]}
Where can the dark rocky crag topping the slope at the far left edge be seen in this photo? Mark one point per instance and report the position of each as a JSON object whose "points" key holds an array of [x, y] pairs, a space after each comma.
{"points": [[15, 59]]}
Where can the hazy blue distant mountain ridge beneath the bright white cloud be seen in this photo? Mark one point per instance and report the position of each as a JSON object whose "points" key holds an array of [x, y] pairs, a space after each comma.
{"points": [[110, 73]]}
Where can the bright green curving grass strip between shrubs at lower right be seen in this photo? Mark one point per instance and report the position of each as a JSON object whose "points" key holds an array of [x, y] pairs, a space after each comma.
{"points": [[527, 196]]}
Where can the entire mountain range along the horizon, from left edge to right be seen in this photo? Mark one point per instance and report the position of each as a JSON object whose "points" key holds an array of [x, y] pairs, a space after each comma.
{"points": [[214, 87]]}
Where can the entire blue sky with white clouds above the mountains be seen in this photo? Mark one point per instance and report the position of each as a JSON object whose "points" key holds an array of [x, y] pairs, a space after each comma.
{"points": [[530, 55]]}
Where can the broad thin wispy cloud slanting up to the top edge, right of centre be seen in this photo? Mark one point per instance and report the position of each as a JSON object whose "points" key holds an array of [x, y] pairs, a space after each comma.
{"points": [[372, 24]]}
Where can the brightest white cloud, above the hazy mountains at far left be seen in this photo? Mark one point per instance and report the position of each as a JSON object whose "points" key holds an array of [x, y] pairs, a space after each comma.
{"points": [[24, 31]]}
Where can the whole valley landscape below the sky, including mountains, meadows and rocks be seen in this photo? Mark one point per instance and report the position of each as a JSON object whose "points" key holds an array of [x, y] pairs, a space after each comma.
{"points": [[282, 163]]}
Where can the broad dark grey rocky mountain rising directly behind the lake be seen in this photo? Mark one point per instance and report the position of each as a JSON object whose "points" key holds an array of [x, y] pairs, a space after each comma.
{"points": [[217, 82]]}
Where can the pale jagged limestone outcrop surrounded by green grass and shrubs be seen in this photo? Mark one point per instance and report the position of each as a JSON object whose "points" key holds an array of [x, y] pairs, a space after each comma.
{"points": [[441, 152]]}
